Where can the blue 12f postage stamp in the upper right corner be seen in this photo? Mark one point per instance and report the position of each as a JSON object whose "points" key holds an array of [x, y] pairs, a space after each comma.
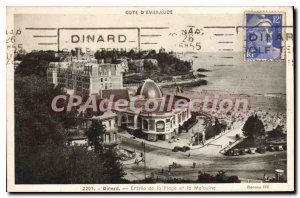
{"points": [[264, 36]]}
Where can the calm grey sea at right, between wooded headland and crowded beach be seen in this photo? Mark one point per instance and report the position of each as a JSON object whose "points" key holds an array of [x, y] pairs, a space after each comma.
{"points": [[262, 82]]}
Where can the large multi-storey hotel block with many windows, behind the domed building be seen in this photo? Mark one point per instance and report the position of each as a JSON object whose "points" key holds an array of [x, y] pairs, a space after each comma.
{"points": [[84, 75]]}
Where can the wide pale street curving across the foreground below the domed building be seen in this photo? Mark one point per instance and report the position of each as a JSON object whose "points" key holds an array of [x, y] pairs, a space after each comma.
{"points": [[208, 160]]}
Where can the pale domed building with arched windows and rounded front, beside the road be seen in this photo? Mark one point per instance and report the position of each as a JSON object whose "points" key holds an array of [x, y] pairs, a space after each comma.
{"points": [[161, 124]]}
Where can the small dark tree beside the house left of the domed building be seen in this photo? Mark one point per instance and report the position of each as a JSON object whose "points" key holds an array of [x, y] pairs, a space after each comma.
{"points": [[95, 133]]}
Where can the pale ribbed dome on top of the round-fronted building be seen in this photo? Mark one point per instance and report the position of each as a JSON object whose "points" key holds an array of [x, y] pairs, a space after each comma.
{"points": [[149, 90]]}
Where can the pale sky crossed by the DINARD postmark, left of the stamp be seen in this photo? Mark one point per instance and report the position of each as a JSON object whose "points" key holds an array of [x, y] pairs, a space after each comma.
{"points": [[167, 31]]}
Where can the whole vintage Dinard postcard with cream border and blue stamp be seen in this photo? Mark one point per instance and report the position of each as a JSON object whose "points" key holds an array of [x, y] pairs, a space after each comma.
{"points": [[150, 99]]}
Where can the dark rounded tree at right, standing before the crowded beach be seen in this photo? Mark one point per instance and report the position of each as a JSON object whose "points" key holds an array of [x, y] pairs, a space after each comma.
{"points": [[253, 127]]}
